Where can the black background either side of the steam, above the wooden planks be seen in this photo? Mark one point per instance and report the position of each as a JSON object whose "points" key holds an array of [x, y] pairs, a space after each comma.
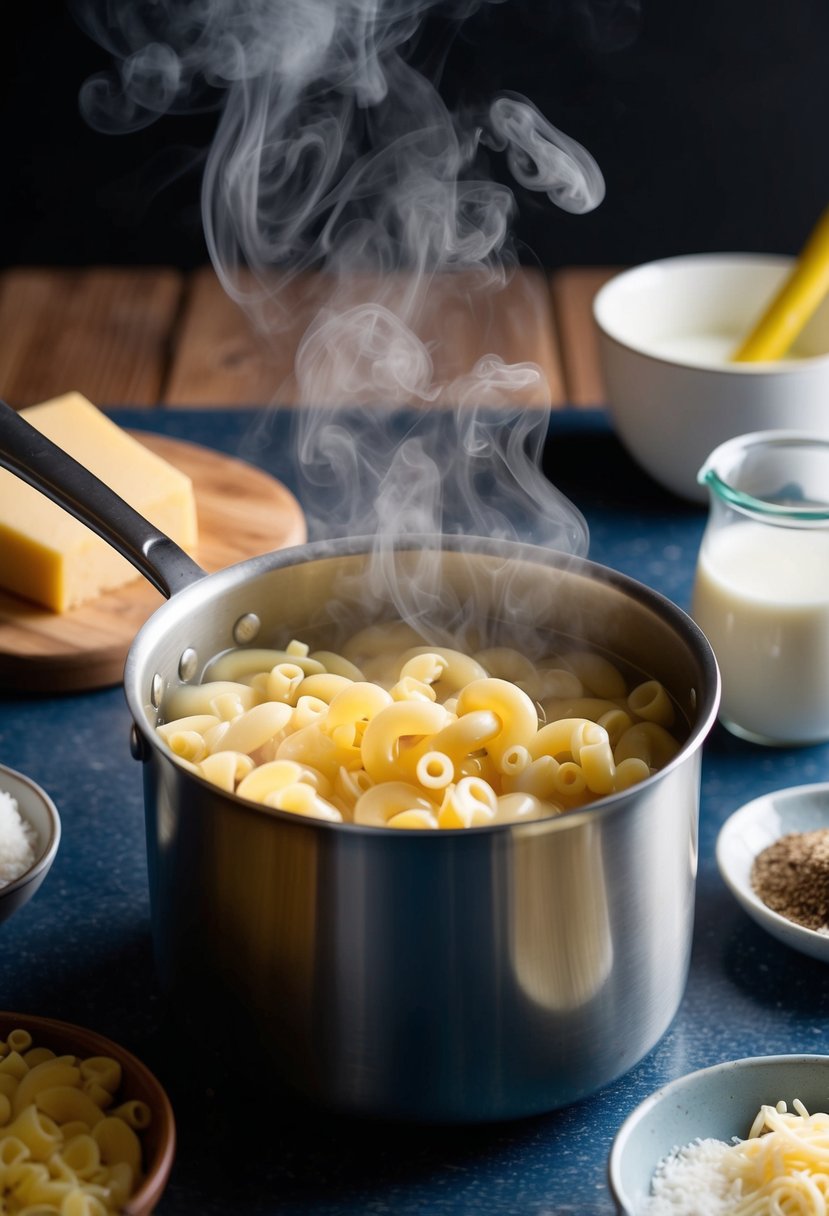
{"points": [[710, 122]]}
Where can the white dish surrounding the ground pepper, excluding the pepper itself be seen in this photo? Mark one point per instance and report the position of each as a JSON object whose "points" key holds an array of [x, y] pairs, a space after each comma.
{"points": [[753, 829]]}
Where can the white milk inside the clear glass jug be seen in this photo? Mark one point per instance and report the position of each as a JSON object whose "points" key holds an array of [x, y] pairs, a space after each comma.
{"points": [[762, 596]]}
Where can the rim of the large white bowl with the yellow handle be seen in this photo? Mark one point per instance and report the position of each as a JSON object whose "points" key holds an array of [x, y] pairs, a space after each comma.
{"points": [[623, 280]]}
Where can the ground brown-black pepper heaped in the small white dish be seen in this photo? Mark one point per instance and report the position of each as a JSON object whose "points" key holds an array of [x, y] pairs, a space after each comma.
{"points": [[792, 877]]}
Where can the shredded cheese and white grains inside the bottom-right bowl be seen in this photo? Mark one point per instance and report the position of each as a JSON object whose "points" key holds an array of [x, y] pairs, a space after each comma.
{"points": [[782, 1169]]}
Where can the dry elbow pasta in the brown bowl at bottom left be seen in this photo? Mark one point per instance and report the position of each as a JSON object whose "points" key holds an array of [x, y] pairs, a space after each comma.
{"points": [[67, 1145]]}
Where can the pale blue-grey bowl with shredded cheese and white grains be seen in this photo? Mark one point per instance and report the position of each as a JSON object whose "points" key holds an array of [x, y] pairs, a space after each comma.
{"points": [[717, 1142]]}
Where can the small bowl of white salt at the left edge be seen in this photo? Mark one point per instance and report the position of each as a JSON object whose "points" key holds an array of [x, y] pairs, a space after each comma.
{"points": [[30, 836]]}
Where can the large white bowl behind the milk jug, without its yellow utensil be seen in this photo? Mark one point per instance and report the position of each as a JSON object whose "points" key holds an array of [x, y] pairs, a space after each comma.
{"points": [[667, 331]]}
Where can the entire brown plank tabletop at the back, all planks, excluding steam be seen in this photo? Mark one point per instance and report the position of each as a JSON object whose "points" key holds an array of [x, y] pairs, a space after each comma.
{"points": [[160, 337]]}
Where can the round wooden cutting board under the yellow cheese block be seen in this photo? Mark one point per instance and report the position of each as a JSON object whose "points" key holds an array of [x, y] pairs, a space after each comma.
{"points": [[243, 513]]}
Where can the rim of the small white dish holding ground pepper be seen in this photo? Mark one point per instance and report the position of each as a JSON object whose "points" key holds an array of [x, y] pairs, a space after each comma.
{"points": [[799, 937]]}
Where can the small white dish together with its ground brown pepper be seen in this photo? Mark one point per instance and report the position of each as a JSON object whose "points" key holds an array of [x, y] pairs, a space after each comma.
{"points": [[774, 855]]}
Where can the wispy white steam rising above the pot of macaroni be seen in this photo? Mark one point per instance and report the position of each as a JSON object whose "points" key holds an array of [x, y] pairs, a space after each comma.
{"points": [[332, 153]]}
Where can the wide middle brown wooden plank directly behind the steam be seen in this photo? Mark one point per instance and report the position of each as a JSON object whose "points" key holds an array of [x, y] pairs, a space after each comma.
{"points": [[222, 354]]}
